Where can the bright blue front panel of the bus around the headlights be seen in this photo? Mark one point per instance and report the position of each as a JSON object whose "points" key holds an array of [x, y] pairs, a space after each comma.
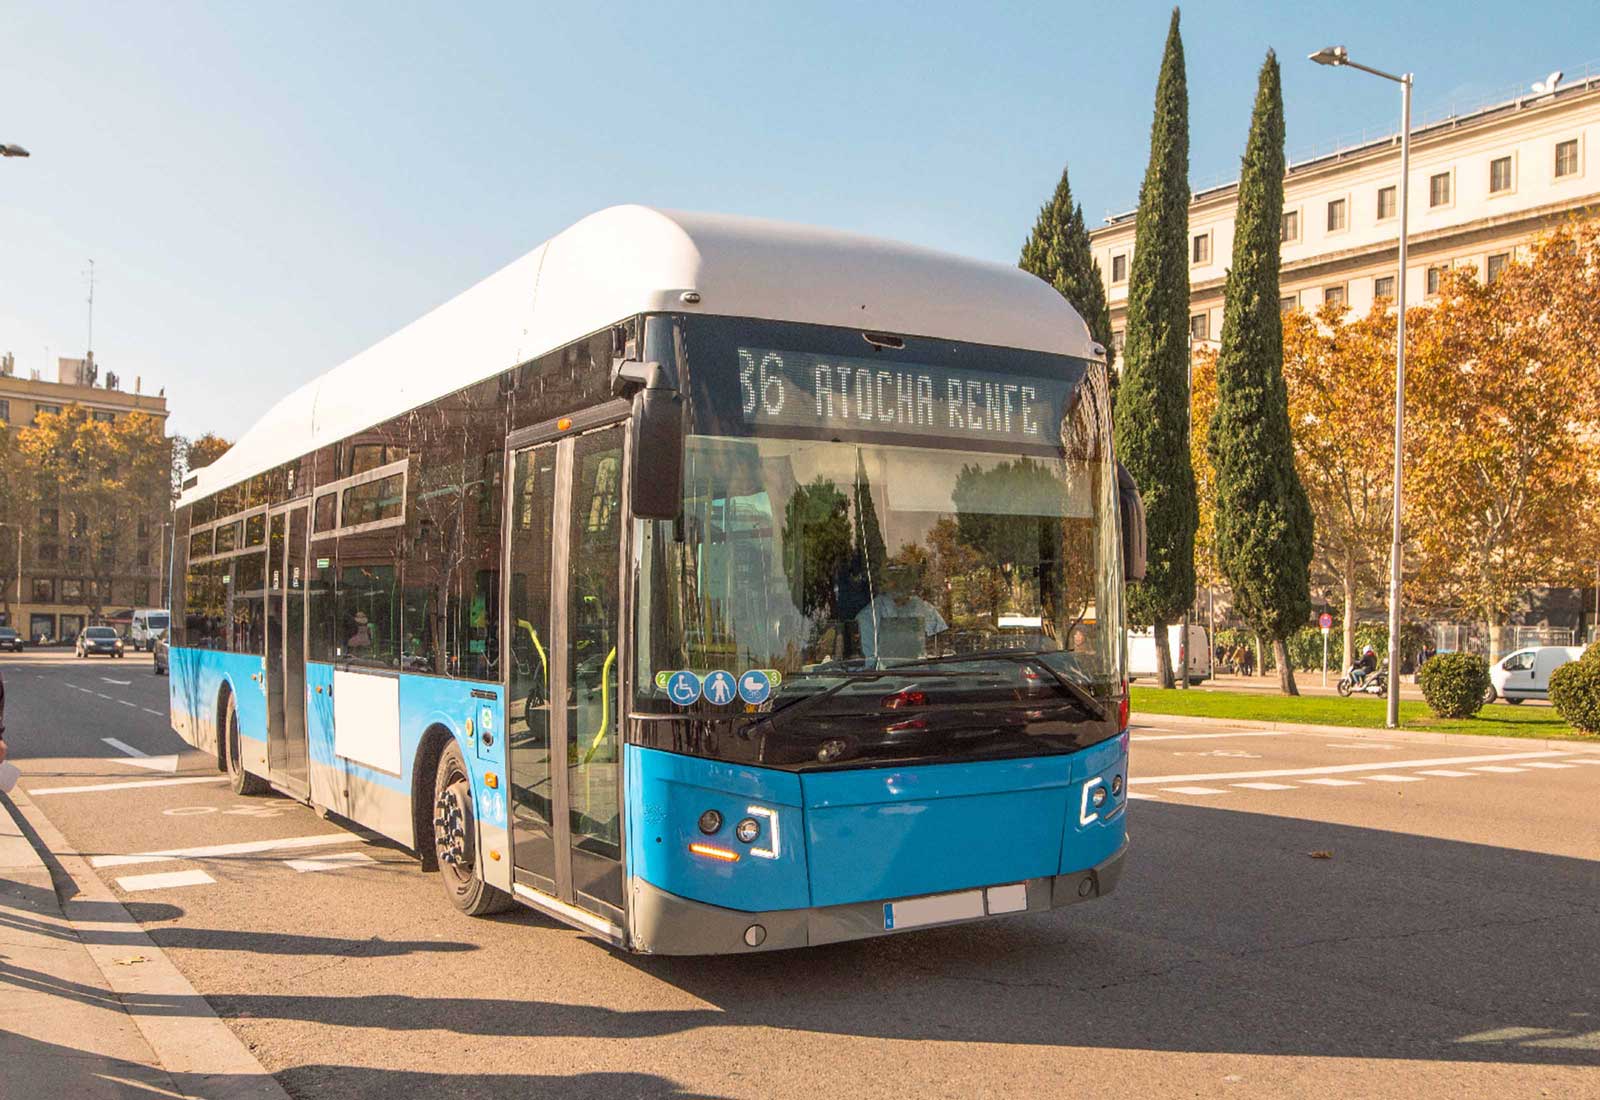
{"points": [[868, 834]]}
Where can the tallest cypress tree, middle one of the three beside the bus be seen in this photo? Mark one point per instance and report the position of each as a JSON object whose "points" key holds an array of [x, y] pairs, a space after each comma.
{"points": [[1153, 399]]}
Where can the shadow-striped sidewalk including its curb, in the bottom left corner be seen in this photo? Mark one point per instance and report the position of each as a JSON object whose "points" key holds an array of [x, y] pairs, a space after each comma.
{"points": [[89, 1005]]}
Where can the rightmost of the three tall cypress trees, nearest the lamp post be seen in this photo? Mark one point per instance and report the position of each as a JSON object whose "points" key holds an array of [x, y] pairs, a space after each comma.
{"points": [[1263, 517]]}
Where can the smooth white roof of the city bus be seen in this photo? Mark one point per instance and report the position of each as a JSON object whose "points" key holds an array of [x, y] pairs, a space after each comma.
{"points": [[636, 260]]}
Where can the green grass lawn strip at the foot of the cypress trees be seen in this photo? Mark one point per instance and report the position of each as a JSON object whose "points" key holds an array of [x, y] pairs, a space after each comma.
{"points": [[1330, 711]]}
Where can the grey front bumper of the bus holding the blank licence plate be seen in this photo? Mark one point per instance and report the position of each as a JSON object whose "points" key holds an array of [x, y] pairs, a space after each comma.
{"points": [[671, 925]]}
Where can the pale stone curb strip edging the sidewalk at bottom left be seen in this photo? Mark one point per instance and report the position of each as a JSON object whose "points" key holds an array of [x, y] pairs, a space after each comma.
{"points": [[188, 1038]]}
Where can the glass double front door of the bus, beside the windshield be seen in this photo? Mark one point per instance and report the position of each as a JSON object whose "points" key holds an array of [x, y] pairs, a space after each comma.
{"points": [[564, 586]]}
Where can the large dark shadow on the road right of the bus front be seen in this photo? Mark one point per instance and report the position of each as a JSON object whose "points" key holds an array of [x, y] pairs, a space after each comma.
{"points": [[1228, 935]]}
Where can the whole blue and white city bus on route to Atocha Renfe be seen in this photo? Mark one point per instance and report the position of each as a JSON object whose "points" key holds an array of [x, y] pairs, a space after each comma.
{"points": [[710, 584]]}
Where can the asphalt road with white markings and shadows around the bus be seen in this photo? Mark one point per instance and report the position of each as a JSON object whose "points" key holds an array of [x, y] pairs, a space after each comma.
{"points": [[1446, 946]]}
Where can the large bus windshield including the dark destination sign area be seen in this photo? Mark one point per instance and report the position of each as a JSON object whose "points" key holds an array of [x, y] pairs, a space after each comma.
{"points": [[950, 568]]}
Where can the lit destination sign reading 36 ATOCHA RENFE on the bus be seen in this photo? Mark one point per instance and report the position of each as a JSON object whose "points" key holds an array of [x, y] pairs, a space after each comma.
{"points": [[802, 389]]}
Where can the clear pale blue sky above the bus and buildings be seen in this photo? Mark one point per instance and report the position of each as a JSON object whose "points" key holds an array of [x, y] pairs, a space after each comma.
{"points": [[270, 188]]}
